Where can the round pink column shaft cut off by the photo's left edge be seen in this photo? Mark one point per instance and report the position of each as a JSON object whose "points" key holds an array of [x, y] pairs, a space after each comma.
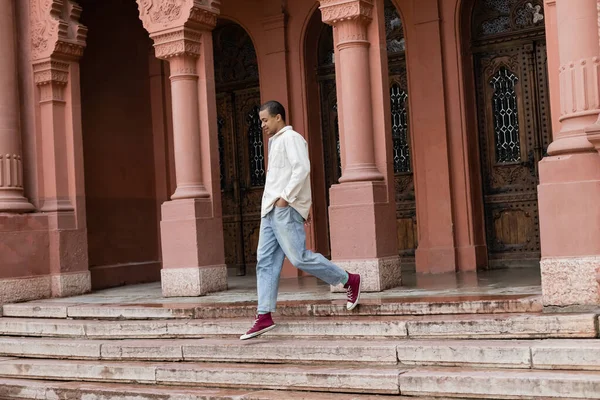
{"points": [[11, 163]]}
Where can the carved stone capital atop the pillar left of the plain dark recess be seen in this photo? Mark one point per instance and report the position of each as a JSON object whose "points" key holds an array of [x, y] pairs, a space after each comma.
{"points": [[55, 29]]}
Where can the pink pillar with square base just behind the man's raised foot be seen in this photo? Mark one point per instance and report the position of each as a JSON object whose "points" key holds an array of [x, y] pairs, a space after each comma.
{"points": [[362, 212]]}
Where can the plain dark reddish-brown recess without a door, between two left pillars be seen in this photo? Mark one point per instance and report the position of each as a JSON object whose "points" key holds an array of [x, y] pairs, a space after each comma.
{"points": [[118, 146]]}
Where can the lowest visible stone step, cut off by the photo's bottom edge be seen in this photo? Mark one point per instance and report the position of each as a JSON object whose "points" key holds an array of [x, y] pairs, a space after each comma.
{"points": [[18, 389]]}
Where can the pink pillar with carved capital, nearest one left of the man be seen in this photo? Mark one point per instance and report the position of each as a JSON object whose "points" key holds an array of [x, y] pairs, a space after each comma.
{"points": [[191, 222]]}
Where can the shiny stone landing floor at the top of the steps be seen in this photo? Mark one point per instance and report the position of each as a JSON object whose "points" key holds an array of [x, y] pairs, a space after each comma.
{"points": [[496, 283]]}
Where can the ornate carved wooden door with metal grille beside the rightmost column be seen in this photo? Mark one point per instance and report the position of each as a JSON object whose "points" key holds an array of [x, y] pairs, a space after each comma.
{"points": [[514, 123]]}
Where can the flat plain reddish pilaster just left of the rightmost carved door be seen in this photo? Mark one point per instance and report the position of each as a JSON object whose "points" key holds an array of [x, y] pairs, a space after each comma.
{"points": [[431, 146]]}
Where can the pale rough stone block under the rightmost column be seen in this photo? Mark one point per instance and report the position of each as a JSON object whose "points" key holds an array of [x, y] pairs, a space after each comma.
{"points": [[570, 281]]}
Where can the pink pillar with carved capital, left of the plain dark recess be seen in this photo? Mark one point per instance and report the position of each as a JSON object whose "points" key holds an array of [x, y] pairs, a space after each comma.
{"points": [[55, 53]]}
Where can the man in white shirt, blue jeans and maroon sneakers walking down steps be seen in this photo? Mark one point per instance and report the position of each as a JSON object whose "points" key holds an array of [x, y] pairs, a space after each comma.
{"points": [[285, 205]]}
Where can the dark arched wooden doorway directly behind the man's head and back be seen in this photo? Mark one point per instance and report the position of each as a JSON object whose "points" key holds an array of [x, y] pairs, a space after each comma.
{"points": [[241, 144]]}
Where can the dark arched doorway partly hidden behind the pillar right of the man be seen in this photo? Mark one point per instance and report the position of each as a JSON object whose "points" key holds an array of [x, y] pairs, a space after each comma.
{"points": [[322, 101]]}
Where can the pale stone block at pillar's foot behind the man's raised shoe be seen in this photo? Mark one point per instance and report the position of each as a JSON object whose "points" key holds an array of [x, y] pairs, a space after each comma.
{"points": [[376, 274]]}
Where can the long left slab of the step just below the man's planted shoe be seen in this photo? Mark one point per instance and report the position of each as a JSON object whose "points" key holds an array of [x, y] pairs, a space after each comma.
{"points": [[273, 350]]}
